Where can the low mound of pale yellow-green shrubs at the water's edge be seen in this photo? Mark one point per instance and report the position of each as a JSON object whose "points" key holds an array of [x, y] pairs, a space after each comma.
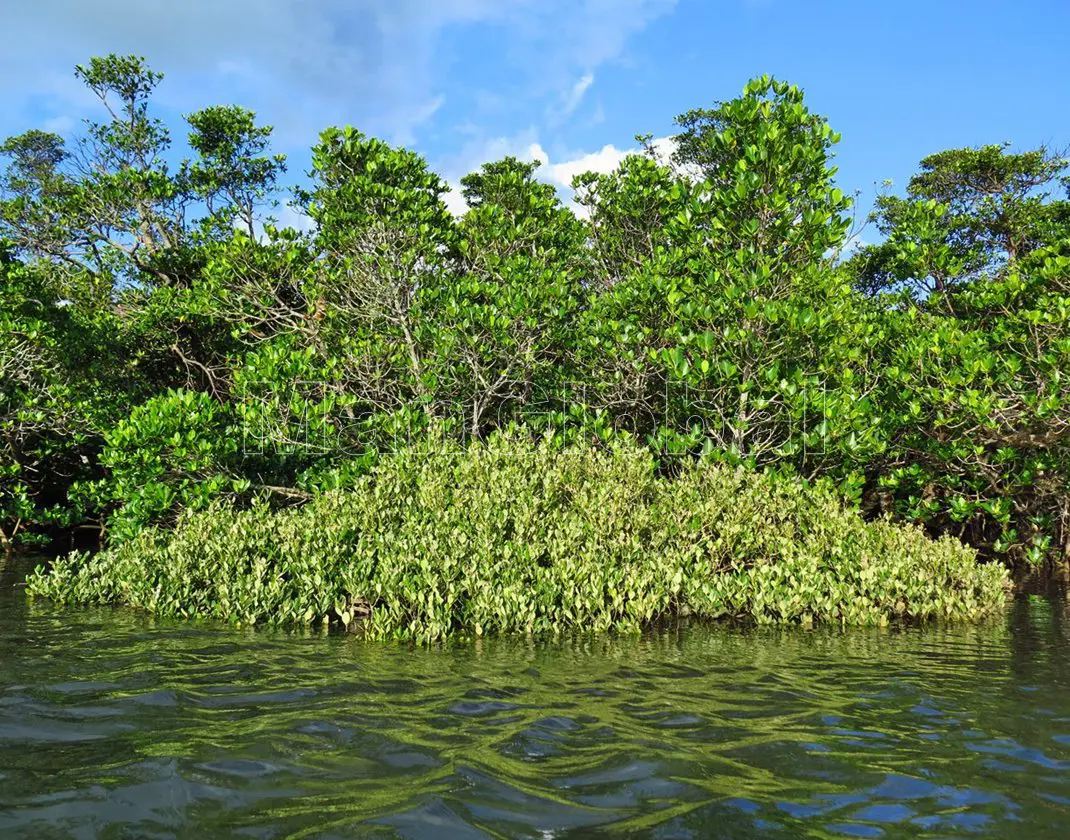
{"points": [[515, 538]]}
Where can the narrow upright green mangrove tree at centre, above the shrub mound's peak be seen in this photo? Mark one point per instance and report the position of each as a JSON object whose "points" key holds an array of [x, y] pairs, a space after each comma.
{"points": [[507, 317]]}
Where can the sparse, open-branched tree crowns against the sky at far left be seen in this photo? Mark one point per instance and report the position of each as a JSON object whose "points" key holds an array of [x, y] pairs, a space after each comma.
{"points": [[116, 213]]}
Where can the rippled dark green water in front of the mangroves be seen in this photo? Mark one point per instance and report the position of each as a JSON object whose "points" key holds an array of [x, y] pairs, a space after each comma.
{"points": [[114, 726]]}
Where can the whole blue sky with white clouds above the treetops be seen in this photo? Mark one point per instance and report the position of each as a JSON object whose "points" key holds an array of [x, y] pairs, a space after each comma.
{"points": [[569, 83]]}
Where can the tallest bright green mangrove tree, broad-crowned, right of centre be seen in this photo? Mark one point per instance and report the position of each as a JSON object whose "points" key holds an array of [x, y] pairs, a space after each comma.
{"points": [[724, 329]]}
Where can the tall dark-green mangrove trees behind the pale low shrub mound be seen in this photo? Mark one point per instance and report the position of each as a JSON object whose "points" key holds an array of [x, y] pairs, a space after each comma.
{"points": [[162, 349]]}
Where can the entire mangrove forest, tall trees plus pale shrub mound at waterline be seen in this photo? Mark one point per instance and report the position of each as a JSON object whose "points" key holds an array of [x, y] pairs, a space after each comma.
{"points": [[690, 390]]}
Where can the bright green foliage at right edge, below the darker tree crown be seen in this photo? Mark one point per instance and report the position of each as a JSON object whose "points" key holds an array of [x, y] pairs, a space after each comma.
{"points": [[981, 407]]}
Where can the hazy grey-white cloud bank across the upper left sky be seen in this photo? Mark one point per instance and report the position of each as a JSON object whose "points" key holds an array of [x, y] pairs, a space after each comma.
{"points": [[304, 66]]}
